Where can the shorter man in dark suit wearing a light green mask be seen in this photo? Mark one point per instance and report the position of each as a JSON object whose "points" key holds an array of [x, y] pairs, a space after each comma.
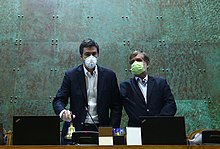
{"points": [[144, 95]]}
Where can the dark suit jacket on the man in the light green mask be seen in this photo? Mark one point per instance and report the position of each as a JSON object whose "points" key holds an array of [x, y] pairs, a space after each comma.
{"points": [[160, 100]]}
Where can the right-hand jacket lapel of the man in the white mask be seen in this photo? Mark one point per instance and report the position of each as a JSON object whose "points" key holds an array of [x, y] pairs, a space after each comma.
{"points": [[100, 83]]}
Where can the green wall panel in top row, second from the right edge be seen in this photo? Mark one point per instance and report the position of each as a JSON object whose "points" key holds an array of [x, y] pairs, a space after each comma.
{"points": [[177, 22]]}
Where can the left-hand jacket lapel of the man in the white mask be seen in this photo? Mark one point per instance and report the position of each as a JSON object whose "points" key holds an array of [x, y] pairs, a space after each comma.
{"points": [[82, 82]]}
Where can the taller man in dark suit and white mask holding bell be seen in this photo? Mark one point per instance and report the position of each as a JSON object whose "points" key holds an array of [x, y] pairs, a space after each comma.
{"points": [[92, 91]]}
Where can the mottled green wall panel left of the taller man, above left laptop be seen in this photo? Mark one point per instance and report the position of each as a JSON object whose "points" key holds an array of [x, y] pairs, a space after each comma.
{"points": [[33, 80]]}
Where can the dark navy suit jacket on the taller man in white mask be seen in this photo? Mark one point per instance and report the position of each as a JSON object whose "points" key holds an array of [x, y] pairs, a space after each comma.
{"points": [[109, 108]]}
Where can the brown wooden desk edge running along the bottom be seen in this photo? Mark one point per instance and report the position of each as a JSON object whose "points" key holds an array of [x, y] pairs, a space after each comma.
{"points": [[111, 147]]}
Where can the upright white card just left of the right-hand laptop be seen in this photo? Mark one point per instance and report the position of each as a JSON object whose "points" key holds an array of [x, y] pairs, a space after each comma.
{"points": [[133, 136]]}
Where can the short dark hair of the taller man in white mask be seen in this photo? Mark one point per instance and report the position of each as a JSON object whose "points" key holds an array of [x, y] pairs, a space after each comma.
{"points": [[86, 44]]}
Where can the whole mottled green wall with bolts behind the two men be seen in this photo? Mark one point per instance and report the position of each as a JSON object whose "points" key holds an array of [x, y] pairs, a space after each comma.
{"points": [[39, 40]]}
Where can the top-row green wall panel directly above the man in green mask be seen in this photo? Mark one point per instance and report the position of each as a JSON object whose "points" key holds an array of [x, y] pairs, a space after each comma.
{"points": [[142, 22]]}
